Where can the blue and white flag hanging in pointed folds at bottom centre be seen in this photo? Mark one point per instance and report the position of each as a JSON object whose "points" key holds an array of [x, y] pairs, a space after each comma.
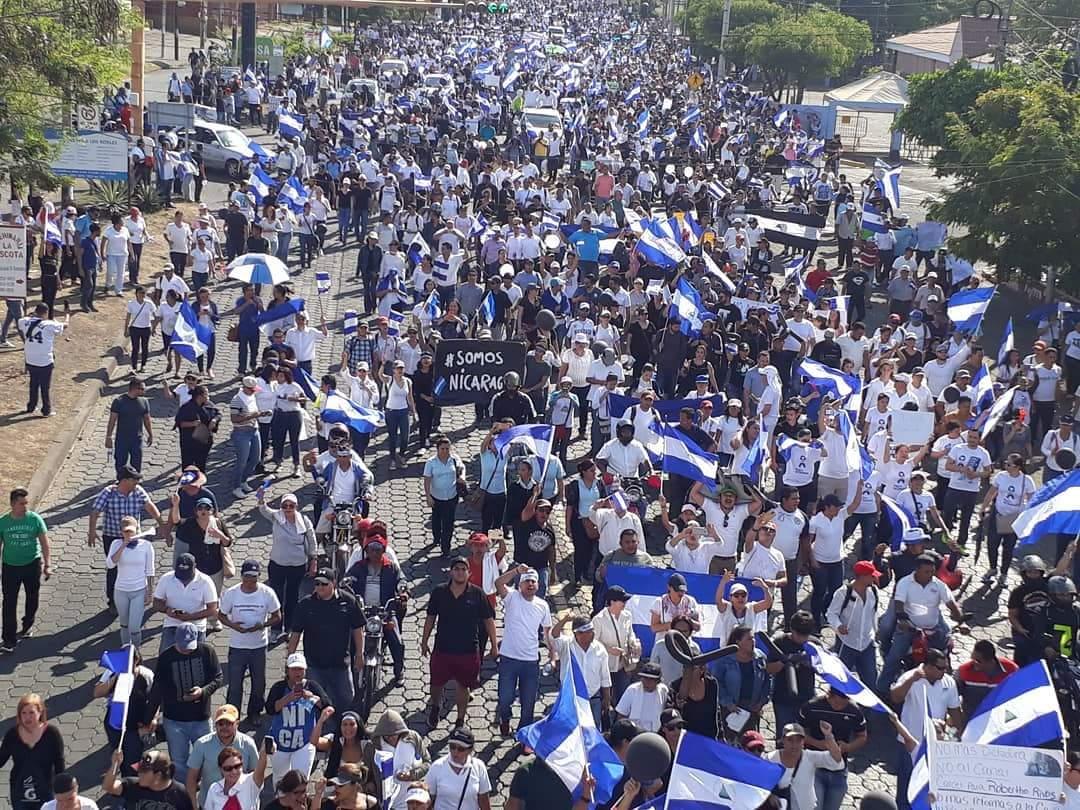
{"points": [[569, 741]]}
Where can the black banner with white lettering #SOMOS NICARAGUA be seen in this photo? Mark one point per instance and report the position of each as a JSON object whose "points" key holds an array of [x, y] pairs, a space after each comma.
{"points": [[471, 371]]}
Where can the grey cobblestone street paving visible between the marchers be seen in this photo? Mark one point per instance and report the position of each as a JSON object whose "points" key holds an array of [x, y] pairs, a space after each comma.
{"points": [[62, 660]]}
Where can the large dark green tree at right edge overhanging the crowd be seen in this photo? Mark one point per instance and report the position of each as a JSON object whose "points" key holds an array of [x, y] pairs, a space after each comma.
{"points": [[1017, 167]]}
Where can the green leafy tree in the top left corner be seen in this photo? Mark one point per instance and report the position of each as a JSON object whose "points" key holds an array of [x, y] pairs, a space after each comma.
{"points": [[52, 57]]}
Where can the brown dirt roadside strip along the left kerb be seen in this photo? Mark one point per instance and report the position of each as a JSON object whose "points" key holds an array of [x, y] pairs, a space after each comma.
{"points": [[82, 357]]}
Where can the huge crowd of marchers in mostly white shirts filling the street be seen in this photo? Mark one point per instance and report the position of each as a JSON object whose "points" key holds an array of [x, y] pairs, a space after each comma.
{"points": [[547, 178]]}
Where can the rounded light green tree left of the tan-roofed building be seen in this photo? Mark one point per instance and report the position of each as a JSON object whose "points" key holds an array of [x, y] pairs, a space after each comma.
{"points": [[807, 46]]}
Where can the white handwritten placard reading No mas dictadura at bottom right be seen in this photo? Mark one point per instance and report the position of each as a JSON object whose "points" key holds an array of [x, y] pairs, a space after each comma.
{"points": [[966, 777]]}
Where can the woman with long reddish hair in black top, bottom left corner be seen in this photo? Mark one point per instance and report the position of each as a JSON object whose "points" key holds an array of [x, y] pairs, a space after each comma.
{"points": [[36, 751]]}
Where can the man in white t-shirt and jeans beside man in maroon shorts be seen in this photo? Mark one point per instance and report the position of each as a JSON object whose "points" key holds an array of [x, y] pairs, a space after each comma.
{"points": [[525, 617]]}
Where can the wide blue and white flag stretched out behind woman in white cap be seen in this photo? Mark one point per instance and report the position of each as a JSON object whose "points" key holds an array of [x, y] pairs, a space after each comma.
{"points": [[645, 585]]}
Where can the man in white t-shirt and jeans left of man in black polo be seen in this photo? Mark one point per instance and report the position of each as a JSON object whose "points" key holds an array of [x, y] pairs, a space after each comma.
{"points": [[248, 610]]}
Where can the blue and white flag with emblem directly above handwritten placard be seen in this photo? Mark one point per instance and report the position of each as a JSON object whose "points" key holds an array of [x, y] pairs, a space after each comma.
{"points": [[1021, 711]]}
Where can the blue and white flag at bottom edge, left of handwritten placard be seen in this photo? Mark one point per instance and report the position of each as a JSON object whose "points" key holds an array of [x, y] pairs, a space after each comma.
{"points": [[708, 775]]}
